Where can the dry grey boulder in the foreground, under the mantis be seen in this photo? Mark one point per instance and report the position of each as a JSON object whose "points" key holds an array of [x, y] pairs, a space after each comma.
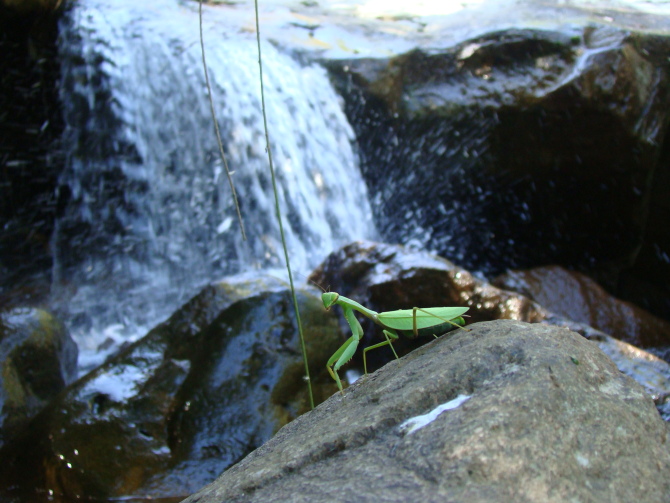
{"points": [[506, 412]]}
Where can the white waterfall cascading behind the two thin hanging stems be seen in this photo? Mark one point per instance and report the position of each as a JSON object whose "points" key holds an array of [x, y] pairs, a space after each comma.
{"points": [[147, 215]]}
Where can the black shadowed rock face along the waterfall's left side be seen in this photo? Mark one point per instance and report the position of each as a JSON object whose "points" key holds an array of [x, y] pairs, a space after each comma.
{"points": [[31, 156]]}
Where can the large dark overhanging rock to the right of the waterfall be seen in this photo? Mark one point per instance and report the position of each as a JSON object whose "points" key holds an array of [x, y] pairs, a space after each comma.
{"points": [[519, 148]]}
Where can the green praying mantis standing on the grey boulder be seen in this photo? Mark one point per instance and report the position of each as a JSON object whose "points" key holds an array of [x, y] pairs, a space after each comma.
{"points": [[406, 321]]}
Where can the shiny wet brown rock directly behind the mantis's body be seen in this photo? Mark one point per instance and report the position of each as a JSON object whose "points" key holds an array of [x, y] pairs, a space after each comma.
{"points": [[385, 277]]}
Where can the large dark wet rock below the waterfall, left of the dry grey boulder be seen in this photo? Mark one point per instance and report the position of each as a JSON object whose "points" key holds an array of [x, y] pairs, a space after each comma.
{"points": [[173, 410]]}
